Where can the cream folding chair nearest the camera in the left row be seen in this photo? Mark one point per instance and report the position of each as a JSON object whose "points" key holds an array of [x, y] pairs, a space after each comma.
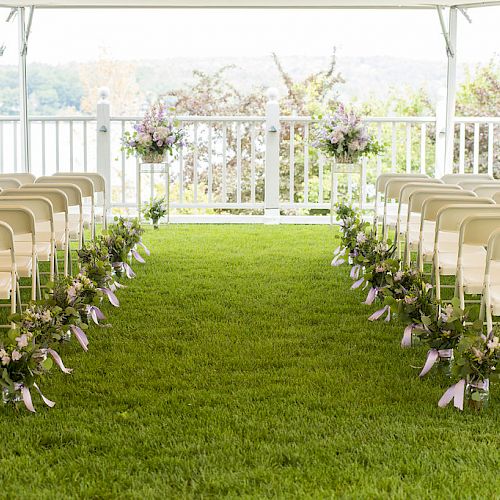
{"points": [[8, 280]]}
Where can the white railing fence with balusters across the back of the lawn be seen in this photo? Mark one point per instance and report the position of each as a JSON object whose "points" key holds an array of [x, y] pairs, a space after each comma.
{"points": [[223, 169]]}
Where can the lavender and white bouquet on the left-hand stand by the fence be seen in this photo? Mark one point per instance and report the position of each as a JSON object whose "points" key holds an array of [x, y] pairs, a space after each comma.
{"points": [[155, 135]]}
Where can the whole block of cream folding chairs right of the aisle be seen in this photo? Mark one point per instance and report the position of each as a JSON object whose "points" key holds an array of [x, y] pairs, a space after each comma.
{"points": [[452, 223]]}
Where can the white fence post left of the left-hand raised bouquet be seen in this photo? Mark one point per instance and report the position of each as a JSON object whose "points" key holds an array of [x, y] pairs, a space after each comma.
{"points": [[104, 141]]}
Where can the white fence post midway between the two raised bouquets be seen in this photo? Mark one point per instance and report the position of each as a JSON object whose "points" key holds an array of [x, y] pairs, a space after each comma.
{"points": [[272, 162]]}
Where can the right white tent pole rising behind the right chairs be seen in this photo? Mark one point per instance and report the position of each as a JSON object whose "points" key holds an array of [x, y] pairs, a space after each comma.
{"points": [[451, 81]]}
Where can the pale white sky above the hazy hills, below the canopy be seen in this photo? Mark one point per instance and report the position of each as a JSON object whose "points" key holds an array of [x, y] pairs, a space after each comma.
{"points": [[60, 36]]}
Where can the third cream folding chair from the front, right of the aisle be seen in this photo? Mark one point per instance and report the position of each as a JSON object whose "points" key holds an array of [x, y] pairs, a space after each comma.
{"points": [[449, 219]]}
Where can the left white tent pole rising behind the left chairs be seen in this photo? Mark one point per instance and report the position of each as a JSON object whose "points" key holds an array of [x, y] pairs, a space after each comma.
{"points": [[23, 91]]}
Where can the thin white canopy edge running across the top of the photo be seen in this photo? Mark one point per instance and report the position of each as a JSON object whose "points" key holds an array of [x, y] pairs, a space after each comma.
{"points": [[415, 4]]}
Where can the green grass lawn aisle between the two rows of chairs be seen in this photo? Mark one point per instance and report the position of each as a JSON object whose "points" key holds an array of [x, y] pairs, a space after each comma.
{"points": [[240, 364]]}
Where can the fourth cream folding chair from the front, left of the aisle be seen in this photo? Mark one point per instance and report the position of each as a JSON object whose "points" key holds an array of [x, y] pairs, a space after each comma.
{"points": [[60, 207]]}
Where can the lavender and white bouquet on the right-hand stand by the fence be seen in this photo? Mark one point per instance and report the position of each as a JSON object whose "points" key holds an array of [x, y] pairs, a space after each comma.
{"points": [[344, 137]]}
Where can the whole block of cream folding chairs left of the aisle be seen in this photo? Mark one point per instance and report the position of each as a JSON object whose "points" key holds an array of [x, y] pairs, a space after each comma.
{"points": [[38, 218]]}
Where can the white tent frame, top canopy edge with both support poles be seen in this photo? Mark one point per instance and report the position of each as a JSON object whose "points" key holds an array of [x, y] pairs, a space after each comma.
{"points": [[25, 11]]}
